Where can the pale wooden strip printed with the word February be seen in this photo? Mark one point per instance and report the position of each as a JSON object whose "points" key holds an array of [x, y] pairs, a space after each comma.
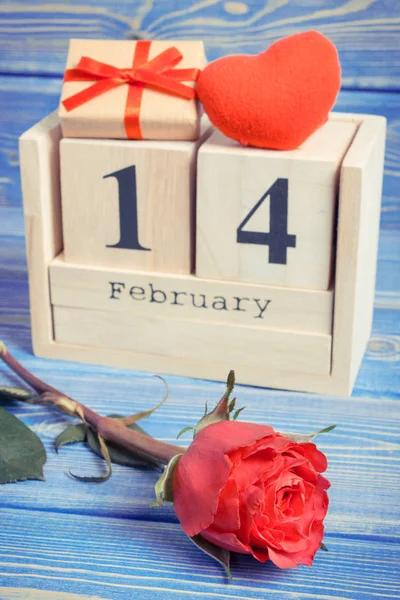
{"points": [[188, 297]]}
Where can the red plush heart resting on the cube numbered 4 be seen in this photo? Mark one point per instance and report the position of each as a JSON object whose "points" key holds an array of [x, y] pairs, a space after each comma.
{"points": [[276, 99]]}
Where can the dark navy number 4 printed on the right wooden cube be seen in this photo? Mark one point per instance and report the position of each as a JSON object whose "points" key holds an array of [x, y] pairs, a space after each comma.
{"points": [[277, 239]]}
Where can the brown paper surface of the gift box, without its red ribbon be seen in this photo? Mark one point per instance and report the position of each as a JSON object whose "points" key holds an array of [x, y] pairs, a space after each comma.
{"points": [[163, 116]]}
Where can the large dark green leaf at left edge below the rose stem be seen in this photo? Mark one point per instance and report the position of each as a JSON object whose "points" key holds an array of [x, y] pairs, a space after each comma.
{"points": [[22, 454]]}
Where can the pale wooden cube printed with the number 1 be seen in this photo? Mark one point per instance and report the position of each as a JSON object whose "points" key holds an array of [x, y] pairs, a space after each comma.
{"points": [[129, 203]]}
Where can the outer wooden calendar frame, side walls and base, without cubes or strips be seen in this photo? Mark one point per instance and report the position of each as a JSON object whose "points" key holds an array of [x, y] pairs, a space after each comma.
{"points": [[354, 286]]}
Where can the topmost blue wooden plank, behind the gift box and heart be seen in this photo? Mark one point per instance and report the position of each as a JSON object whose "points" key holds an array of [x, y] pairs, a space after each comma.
{"points": [[365, 31]]}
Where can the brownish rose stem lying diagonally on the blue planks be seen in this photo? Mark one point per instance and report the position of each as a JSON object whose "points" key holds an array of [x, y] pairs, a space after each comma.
{"points": [[109, 429]]}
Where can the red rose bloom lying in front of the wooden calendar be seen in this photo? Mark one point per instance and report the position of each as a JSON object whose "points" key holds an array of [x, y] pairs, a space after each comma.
{"points": [[249, 489]]}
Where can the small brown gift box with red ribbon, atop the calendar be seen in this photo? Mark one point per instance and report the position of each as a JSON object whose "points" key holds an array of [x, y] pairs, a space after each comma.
{"points": [[132, 90]]}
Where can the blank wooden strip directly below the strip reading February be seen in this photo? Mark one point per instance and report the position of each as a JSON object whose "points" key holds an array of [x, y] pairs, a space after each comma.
{"points": [[183, 346]]}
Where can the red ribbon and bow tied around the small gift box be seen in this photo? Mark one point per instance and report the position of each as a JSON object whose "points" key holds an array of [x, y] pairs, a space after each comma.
{"points": [[157, 73]]}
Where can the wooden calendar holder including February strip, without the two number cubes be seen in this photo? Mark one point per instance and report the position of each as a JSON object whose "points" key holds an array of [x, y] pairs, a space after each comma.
{"points": [[186, 325]]}
